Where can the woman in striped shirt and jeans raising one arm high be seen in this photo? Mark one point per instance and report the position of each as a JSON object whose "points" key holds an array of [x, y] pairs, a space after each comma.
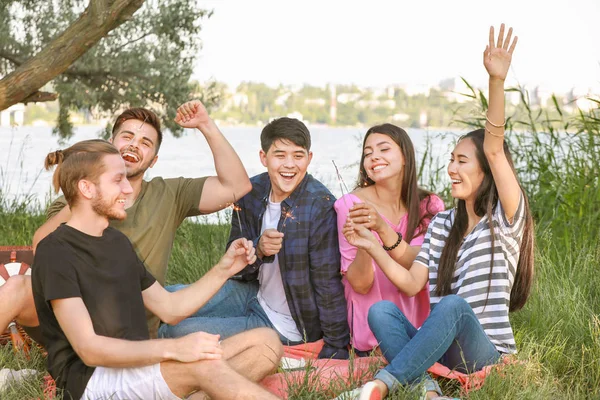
{"points": [[477, 257]]}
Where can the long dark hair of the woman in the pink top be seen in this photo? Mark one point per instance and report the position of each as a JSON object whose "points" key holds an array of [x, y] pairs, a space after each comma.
{"points": [[412, 194]]}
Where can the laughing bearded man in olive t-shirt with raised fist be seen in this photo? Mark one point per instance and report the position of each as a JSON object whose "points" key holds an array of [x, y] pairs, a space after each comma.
{"points": [[155, 209]]}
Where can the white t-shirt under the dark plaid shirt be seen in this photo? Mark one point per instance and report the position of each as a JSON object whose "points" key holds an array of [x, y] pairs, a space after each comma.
{"points": [[271, 294]]}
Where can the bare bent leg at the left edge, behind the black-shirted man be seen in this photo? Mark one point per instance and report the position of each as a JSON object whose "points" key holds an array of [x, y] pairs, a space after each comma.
{"points": [[16, 302]]}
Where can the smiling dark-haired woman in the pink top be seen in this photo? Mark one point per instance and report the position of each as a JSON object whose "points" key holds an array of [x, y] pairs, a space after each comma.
{"points": [[388, 201]]}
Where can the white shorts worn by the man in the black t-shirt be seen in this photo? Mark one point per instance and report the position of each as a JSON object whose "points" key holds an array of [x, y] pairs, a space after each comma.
{"points": [[144, 383]]}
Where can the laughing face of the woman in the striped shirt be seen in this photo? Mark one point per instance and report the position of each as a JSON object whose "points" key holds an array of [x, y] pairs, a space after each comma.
{"points": [[464, 171]]}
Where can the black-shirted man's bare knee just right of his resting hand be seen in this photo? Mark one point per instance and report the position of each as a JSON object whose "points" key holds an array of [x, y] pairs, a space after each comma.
{"points": [[254, 354]]}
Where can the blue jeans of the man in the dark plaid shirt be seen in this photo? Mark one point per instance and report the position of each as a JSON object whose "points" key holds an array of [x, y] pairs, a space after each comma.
{"points": [[233, 309]]}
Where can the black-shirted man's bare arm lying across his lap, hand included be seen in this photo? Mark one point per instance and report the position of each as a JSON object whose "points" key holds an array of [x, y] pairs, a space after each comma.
{"points": [[95, 350]]}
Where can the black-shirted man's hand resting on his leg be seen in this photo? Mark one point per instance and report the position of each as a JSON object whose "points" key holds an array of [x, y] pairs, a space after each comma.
{"points": [[195, 347]]}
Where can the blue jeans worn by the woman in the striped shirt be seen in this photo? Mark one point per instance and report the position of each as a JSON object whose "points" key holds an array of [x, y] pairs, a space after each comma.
{"points": [[451, 335]]}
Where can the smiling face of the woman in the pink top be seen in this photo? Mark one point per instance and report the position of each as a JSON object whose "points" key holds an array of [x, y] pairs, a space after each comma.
{"points": [[382, 158]]}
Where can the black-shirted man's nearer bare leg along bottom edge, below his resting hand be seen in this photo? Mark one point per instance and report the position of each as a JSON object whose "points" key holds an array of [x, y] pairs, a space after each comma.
{"points": [[215, 378]]}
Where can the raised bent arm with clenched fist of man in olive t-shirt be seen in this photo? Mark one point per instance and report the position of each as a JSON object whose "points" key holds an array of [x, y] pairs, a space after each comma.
{"points": [[232, 181]]}
